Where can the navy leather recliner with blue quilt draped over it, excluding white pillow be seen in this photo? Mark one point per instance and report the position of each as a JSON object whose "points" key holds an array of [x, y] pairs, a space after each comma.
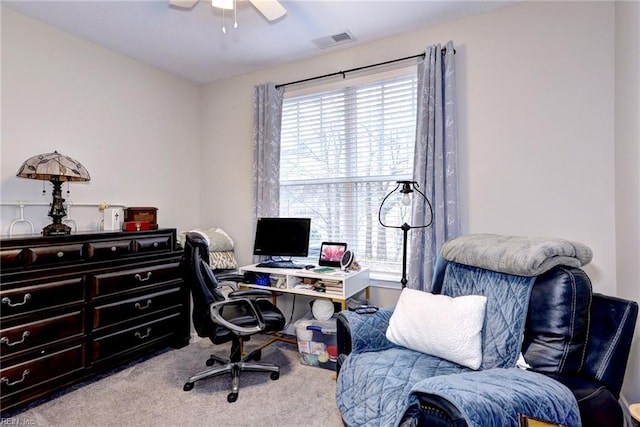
{"points": [[576, 342]]}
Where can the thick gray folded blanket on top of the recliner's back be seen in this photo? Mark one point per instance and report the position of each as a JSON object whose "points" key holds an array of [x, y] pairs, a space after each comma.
{"points": [[519, 256]]}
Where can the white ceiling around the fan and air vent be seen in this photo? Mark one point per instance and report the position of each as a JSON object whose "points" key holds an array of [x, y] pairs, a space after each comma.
{"points": [[190, 43]]}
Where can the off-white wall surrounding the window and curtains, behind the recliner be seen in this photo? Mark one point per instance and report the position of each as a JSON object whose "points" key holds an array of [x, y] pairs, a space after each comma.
{"points": [[536, 124]]}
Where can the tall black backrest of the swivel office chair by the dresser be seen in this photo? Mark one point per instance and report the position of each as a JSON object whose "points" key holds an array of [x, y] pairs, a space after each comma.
{"points": [[203, 284]]}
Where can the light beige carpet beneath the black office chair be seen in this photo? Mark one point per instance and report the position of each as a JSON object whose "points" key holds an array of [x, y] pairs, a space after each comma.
{"points": [[149, 393]]}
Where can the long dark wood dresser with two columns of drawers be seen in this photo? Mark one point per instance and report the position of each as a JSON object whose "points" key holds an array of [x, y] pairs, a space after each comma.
{"points": [[73, 306]]}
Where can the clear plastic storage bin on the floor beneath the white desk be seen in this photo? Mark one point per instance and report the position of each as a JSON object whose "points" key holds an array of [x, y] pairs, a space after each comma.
{"points": [[317, 342]]}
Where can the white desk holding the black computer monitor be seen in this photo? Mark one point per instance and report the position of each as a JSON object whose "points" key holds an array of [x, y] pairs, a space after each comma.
{"points": [[341, 285]]}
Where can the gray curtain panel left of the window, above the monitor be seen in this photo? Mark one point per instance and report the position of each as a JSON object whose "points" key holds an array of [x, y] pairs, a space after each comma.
{"points": [[267, 118]]}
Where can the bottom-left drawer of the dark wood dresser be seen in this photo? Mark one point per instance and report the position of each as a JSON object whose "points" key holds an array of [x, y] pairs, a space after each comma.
{"points": [[22, 376]]}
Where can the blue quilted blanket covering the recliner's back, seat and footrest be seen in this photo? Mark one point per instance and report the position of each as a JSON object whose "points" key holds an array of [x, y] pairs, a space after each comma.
{"points": [[378, 381]]}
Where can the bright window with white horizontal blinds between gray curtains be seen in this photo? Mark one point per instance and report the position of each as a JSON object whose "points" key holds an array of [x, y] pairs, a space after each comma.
{"points": [[342, 151]]}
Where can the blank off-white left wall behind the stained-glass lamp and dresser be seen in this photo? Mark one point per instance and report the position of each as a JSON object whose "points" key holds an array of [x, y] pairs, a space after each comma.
{"points": [[135, 128]]}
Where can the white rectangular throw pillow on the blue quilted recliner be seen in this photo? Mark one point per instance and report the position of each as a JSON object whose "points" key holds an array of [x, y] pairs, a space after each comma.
{"points": [[450, 328]]}
